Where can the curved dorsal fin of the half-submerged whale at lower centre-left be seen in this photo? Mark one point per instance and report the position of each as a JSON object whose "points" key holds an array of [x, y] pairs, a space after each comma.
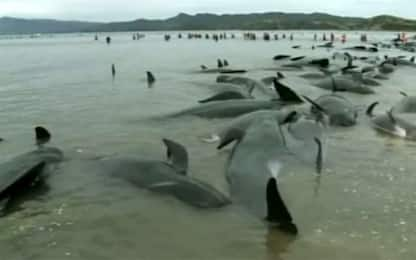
{"points": [[177, 155]]}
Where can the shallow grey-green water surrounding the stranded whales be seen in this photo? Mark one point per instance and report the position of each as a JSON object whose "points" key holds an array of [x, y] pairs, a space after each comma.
{"points": [[364, 209]]}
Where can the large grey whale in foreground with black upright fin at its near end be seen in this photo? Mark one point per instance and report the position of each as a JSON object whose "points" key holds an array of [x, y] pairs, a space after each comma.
{"points": [[254, 165]]}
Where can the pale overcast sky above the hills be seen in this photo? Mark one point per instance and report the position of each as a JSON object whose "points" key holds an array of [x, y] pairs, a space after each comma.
{"points": [[113, 10]]}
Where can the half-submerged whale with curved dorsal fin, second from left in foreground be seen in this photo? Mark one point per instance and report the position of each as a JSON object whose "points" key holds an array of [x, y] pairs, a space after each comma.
{"points": [[166, 177]]}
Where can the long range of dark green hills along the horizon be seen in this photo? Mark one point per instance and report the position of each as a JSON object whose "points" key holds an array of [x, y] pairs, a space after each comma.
{"points": [[259, 21]]}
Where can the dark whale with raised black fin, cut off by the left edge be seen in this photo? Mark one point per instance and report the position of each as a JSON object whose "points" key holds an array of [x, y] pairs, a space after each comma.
{"points": [[23, 171]]}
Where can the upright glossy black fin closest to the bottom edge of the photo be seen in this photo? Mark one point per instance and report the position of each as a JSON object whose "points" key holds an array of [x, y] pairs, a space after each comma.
{"points": [[277, 212]]}
